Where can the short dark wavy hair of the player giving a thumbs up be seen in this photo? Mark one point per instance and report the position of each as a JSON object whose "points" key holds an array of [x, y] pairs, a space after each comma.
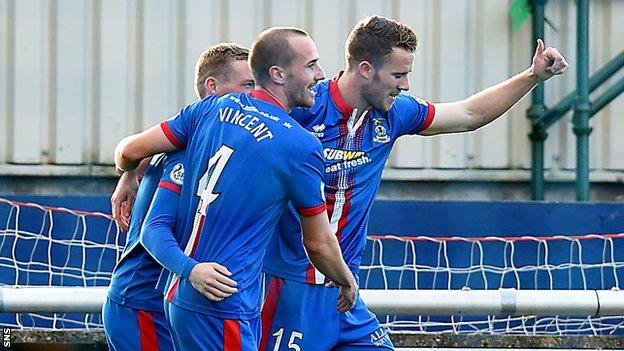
{"points": [[374, 37]]}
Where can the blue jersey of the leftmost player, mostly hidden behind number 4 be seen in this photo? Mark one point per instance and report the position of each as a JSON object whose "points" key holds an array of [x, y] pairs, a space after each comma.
{"points": [[136, 274]]}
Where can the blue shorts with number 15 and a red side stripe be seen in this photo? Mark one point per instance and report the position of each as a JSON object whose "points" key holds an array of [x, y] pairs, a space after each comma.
{"points": [[307, 316]]}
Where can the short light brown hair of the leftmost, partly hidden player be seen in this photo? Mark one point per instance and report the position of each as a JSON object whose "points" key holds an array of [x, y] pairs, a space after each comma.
{"points": [[215, 62]]}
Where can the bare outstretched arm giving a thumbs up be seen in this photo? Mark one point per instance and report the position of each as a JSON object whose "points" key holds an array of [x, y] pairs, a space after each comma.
{"points": [[489, 104]]}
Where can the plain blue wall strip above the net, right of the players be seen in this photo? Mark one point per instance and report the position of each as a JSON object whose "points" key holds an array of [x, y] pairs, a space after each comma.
{"points": [[477, 218]]}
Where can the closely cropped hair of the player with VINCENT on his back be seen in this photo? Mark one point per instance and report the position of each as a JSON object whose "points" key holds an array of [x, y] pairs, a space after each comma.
{"points": [[271, 48]]}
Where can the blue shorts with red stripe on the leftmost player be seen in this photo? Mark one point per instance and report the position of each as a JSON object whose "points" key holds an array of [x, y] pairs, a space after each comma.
{"points": [[132, 329]]}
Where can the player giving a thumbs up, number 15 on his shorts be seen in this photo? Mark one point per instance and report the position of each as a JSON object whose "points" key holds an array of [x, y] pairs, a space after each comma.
{"points": [[358, 116]]}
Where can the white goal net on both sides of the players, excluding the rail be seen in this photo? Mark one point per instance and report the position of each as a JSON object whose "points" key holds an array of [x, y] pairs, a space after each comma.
{"points": [[45, 246]]}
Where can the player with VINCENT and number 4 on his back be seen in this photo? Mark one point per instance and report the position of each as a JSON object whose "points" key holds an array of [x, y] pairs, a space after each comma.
{"points": [[246, 159]]}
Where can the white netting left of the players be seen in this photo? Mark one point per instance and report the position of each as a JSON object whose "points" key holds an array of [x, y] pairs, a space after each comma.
{"points": [[46, 246]]}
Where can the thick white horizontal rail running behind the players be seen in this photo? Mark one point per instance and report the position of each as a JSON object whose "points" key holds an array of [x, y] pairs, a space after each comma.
{"points": [[508, 302]]}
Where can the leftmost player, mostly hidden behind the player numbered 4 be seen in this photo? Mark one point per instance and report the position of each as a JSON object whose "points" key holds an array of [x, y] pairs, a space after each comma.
{"points": [[133, 313]]}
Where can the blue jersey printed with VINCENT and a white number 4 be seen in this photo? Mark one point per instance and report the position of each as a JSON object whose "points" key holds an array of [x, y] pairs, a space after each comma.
{"points": [[246, 159]]}
